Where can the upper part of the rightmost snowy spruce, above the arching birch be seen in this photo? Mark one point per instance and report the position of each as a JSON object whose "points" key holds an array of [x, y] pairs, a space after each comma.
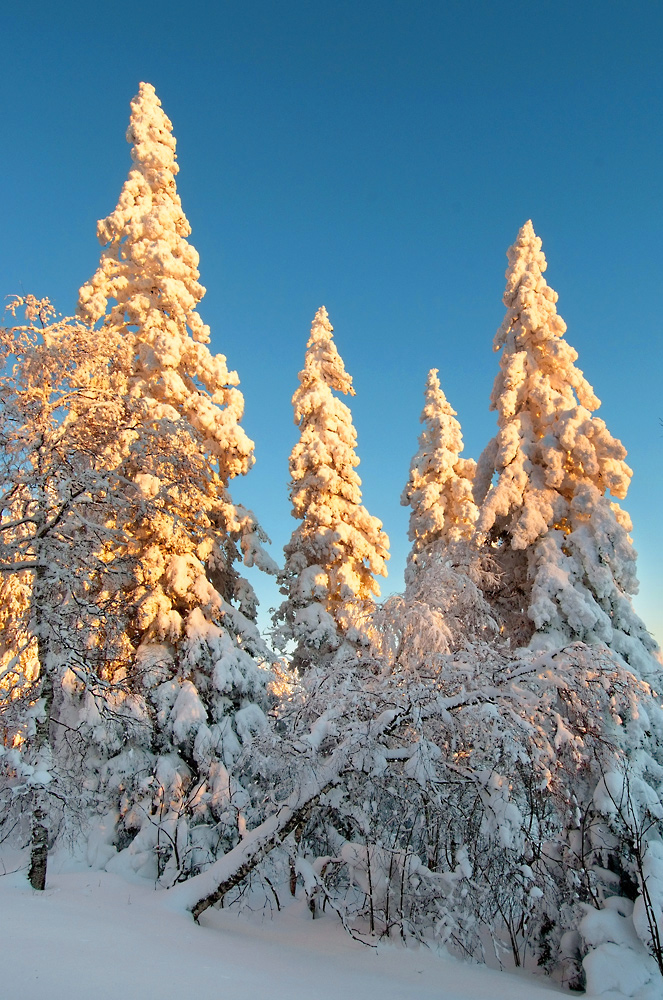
{"points": [[561, 544]]}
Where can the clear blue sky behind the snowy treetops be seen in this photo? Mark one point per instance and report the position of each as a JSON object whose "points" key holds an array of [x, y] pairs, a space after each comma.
{"points": [[377, 158]]}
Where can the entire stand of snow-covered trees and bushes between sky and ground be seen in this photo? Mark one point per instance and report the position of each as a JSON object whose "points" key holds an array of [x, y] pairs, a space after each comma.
{"points": [[476, 761]]}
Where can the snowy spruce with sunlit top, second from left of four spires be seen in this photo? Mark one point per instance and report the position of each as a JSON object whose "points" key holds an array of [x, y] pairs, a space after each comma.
{"points": [[338, 548]]}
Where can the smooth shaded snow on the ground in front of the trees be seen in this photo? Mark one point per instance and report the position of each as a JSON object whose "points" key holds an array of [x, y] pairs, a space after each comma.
{"points": [[98, 936]]}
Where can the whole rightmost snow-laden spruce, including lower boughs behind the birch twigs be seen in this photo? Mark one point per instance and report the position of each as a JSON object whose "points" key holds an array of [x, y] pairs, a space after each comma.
{"points": [[567, 572]]}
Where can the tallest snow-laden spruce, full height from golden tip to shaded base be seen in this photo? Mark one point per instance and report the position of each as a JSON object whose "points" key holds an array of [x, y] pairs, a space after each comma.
{"points": [[199, 657]]}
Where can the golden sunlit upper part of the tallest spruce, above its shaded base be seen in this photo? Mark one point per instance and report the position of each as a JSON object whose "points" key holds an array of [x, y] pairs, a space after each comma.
{"points": [[150, 271]]}
